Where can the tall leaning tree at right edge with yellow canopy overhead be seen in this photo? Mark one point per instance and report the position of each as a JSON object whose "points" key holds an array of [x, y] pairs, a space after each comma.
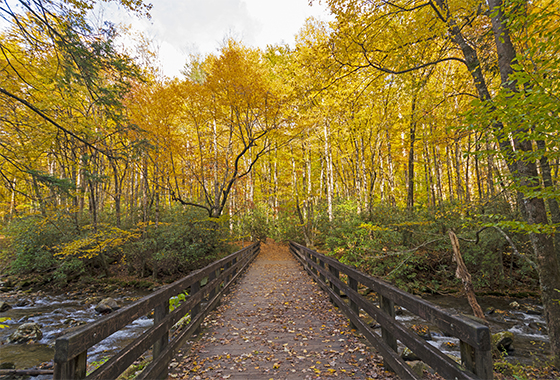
{"points": [[385, 36]]}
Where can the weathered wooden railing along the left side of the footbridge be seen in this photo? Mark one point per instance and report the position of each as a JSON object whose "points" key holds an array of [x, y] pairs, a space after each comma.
{"points": [[205, 288]]}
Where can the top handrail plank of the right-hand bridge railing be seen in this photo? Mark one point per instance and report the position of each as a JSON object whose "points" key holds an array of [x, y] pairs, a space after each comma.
{"points": [[462, 327]]}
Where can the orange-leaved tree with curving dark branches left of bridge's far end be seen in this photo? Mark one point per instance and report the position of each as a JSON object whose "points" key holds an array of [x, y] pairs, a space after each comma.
{"points": [[230, 115]]}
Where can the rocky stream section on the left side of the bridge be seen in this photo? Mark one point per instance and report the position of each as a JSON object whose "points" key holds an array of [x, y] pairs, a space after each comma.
{"points": [[56, 315]]}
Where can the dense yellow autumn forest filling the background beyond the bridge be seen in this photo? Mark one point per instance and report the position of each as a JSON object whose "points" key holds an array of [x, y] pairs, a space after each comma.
{"points": [[370, 139]]}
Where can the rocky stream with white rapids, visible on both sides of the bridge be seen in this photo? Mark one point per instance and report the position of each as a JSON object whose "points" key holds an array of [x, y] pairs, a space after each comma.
{"points": [[57, 313]]}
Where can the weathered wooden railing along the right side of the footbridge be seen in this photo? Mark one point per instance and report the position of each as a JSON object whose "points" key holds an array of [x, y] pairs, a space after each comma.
{"points": [[476, 358]]}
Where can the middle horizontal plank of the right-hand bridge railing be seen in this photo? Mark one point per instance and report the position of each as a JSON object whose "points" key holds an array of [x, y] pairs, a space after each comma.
{"points": [[429, 354]]}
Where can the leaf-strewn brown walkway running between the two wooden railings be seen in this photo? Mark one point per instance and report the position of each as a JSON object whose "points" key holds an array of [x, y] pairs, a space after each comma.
{"points": [[277, 324]]}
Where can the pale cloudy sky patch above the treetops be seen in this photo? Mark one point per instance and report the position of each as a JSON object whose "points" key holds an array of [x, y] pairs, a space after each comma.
{"points": [[182, 27]]}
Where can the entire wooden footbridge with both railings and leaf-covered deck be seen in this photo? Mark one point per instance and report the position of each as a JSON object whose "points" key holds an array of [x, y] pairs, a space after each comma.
{"points": [[291, 343]]}
